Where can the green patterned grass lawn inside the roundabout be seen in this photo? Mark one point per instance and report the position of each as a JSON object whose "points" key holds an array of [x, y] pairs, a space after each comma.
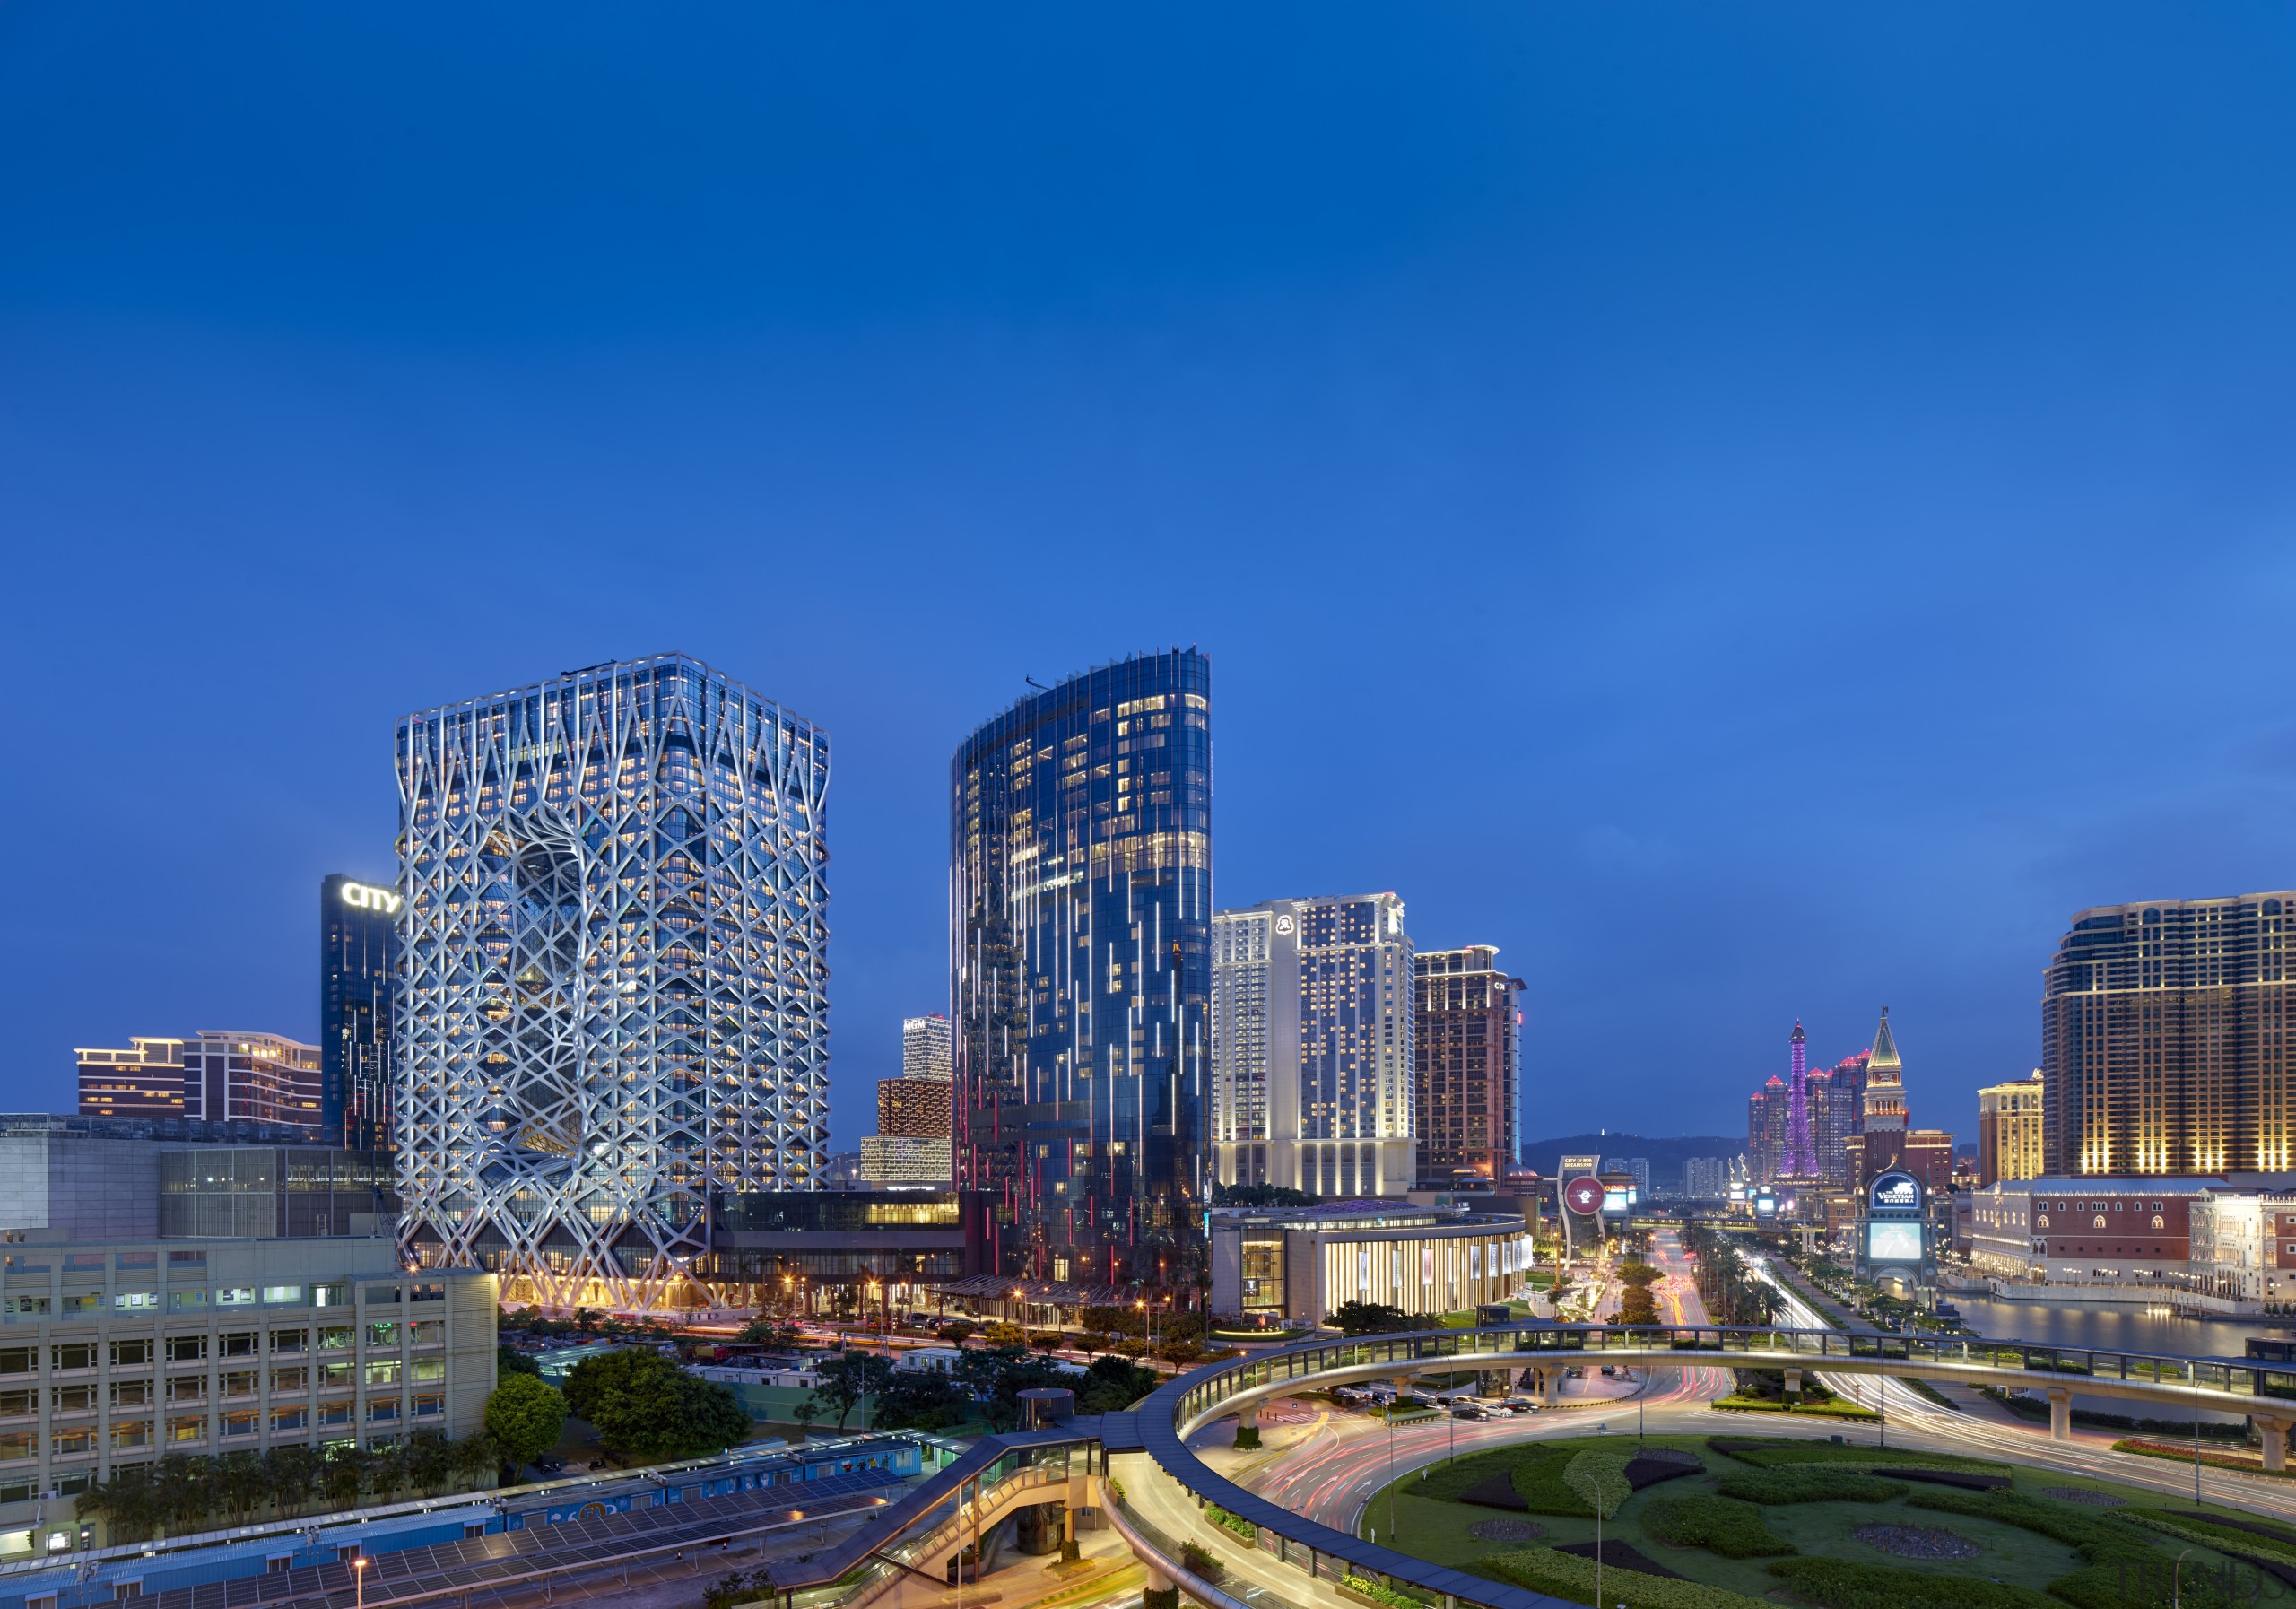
{"points": [[1436, 1530]]}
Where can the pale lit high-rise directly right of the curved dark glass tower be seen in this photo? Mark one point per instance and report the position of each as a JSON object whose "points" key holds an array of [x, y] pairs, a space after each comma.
{"points": [[1312, 1046]]}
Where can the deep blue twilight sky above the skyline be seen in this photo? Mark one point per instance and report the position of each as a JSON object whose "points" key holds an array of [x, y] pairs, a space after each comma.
{"points": [[1758, 511]]}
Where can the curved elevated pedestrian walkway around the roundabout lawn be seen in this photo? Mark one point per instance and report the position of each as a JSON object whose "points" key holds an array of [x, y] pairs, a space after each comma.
{"points": [[1151, 1488]]}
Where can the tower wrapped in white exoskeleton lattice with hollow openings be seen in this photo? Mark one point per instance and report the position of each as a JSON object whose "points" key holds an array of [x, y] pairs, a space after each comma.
{"points": [[612, 977]]}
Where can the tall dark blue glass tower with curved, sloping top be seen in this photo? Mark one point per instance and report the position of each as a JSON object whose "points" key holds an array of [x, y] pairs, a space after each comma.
{"points": [[1080, 974]]}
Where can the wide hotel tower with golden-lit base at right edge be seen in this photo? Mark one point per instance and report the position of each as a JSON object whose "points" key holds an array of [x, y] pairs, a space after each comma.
{"points": [[2164, 1041]]}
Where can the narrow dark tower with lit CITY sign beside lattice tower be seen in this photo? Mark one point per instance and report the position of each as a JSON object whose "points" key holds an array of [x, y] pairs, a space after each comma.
{"points": [[359, 951]]}
